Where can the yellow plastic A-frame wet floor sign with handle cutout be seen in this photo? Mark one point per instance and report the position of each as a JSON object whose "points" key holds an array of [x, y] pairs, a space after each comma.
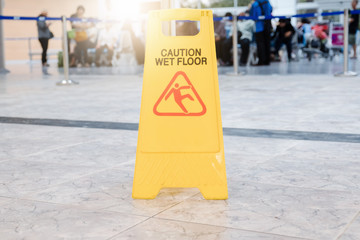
{"points": [[180, 142]]}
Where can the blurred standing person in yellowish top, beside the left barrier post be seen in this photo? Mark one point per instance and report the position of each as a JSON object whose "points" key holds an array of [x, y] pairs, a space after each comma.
{"points": [[81, 37]]}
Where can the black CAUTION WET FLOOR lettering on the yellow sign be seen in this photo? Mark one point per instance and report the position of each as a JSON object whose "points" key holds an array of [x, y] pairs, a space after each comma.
{"points": [[182, 56]]}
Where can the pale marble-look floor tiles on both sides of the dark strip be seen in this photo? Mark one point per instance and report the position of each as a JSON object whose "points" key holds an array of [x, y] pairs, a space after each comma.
{"points": [[76, 183]]}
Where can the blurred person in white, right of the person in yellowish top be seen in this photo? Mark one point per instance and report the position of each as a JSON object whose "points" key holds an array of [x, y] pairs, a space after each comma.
{"points": [[106, 42]]}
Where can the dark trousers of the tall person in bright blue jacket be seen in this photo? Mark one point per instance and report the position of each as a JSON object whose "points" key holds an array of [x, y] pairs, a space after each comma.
{"points": [[263, 41]]}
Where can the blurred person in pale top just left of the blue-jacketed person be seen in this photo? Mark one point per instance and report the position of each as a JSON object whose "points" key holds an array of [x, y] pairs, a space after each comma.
{"points": [[246, 28]]}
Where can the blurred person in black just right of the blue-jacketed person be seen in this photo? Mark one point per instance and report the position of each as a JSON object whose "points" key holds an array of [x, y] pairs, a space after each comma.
{"points": [[283, 35]]}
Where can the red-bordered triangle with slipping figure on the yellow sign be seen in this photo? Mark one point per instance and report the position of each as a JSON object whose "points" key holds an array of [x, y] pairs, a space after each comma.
{"points": [[183, 96]]}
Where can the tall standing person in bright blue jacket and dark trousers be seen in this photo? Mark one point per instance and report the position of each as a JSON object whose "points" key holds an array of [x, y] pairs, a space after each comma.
{"points": [[263, 30]]}
